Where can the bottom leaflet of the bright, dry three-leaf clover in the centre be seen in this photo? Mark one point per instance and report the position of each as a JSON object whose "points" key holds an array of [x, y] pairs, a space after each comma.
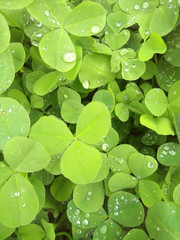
{"points": [[80, 163]]}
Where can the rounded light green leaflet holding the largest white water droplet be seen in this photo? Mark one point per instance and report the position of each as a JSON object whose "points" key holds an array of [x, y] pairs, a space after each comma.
{"points": [[51, 51]]}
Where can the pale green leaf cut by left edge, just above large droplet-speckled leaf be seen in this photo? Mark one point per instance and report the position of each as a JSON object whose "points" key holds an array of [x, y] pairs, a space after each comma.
{"points": [[7, 70]]}
